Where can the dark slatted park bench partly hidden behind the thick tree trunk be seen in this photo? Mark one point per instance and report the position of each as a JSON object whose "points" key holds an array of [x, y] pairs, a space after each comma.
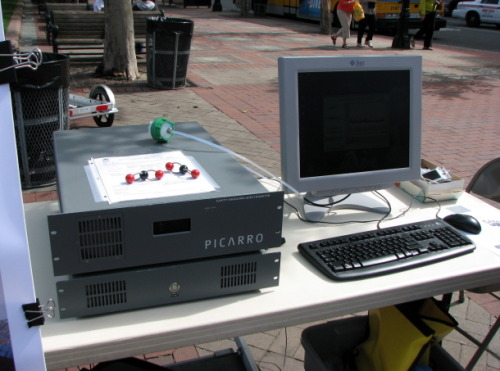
{"points": [[81, 32]]}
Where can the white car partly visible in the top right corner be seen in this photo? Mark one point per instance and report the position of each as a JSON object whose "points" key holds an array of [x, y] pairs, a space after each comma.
{"points": [[478, 11]]}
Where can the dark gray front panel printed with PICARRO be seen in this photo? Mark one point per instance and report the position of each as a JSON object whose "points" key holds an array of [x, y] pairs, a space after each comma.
{"points": [[114, 239]]}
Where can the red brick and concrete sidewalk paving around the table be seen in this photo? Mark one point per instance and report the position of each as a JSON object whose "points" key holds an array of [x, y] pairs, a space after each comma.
{"points": [[233, 93]]}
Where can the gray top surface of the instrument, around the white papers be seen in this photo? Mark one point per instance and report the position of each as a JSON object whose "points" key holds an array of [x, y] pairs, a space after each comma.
{"points": [[74, 148]]}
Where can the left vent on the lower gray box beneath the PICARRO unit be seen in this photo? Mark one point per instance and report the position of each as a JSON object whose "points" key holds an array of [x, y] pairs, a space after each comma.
{"points": [[106, 294]]}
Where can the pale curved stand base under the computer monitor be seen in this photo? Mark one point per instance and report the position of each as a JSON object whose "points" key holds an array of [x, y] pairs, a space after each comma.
{"points": [[356, 201]]}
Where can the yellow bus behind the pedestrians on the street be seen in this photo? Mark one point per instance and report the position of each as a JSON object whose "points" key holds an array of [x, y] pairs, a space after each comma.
{"points": [[388, 12]]}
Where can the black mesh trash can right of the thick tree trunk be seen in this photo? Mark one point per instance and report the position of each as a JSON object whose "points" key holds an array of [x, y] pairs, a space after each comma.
{"points": [[168, 42]]}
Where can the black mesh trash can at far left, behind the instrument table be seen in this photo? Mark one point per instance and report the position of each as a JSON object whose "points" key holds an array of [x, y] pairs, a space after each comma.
{"points": [[40, 107]]}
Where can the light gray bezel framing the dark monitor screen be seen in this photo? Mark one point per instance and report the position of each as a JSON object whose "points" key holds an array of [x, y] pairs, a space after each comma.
{"points": [[288, 71]]}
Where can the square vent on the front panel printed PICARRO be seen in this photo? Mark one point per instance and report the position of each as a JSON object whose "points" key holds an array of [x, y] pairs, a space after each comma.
{"points": [[101, 238]]}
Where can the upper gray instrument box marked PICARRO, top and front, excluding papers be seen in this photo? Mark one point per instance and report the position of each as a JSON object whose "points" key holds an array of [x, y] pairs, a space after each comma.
{"points": [[240, 216]]}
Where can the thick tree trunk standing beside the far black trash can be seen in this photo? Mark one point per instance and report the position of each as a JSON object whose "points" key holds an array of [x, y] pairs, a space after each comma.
{"points": [[119, 46]]}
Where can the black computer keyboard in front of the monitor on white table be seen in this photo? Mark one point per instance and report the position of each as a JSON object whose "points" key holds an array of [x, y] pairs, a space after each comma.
{"points": [[386, 250]]}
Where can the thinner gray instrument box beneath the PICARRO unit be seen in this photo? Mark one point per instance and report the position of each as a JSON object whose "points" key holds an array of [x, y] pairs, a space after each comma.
{"points": [[95, 294]]}
